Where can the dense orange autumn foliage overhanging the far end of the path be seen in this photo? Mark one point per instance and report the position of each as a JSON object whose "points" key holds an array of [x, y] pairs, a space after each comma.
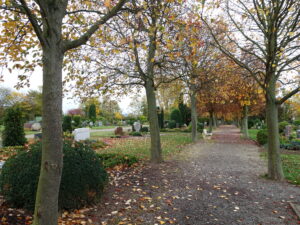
{"points": [[229, 92]]}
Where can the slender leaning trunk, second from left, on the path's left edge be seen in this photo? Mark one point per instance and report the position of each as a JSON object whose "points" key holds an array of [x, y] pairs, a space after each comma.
{"points": [[156, 152]]}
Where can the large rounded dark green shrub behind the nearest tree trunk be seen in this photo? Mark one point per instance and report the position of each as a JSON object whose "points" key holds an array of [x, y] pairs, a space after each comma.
{"points": [[82, 182]]}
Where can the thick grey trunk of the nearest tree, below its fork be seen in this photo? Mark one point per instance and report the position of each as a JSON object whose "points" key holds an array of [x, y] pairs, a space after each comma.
{"points": [[46, 206]]}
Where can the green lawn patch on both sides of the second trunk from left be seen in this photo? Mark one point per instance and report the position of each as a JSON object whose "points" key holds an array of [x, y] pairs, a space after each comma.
{"points": [[139, 147]]}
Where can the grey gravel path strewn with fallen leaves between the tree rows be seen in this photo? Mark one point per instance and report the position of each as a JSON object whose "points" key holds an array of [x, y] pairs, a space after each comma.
{"points": [[216, 181]]}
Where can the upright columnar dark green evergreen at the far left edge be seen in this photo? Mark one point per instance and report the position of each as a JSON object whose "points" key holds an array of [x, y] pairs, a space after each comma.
{"points": [[13, 133]]}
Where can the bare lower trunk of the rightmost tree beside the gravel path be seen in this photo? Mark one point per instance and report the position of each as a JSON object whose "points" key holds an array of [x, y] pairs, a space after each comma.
{"points": [[275, 171]]}
